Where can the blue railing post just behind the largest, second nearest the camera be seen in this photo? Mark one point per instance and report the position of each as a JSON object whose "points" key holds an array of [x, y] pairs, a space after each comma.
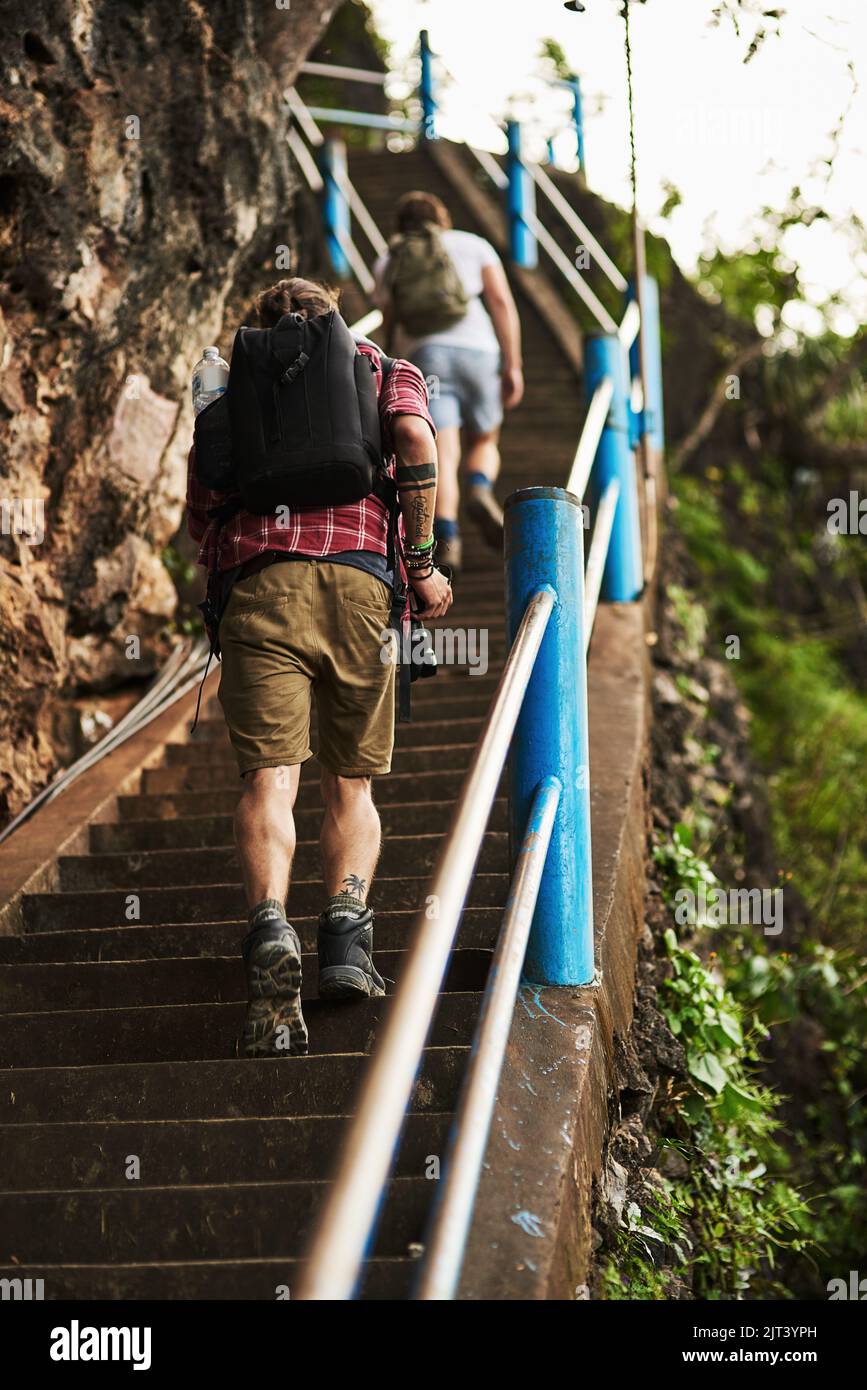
{"points": [[623, 579]]}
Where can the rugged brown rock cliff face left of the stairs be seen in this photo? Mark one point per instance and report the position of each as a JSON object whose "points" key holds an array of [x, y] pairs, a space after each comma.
{"points": [[145, 188]]}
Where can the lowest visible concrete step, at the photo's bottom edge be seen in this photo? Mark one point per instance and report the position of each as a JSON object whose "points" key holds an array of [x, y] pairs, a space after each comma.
{"points": [[201, 1279]]}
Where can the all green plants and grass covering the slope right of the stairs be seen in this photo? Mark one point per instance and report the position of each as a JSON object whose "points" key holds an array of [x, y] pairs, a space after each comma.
{"points": [[800, 1193]]}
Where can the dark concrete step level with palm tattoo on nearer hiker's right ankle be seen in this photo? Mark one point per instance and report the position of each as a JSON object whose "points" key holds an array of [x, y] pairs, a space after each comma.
{"points": [[220, 903]]}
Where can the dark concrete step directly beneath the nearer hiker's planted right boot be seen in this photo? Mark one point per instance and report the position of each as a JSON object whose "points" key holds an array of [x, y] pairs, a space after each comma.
{"points": [[205, 1032]]}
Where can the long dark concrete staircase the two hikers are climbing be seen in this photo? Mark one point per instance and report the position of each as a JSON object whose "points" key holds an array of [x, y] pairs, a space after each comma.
{"points": [[138, 1157]]}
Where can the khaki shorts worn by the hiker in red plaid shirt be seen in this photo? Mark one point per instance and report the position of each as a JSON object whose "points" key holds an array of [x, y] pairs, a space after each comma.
{"points": [[304, 630]]}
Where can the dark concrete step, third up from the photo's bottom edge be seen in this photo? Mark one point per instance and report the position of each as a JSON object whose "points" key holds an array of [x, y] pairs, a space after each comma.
{"points": [[45, 1157]]}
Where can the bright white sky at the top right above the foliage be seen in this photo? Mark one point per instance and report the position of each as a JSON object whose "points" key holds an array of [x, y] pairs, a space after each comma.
{"points": [[730, 137]]}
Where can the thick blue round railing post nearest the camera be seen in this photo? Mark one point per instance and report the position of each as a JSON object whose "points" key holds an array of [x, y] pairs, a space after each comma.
{"points": [[545, 548]]}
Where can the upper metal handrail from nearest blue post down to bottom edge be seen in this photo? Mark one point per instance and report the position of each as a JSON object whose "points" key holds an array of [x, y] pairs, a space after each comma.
{"points": [[354, 1203]]}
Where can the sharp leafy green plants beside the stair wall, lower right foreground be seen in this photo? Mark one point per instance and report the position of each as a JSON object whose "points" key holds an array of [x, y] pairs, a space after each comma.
{"points": [[722, 1228]]}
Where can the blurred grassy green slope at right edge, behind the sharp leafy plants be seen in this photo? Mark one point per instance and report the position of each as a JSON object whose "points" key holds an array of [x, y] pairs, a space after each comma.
{"points": [[809, 722]]}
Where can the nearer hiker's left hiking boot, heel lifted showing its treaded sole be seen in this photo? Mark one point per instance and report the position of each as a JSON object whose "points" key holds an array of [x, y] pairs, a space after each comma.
{"points": [[274, 1025]]}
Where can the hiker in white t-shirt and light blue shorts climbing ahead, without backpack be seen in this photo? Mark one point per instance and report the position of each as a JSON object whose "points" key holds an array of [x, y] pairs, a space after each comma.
{"points": [[473, 370]]}
